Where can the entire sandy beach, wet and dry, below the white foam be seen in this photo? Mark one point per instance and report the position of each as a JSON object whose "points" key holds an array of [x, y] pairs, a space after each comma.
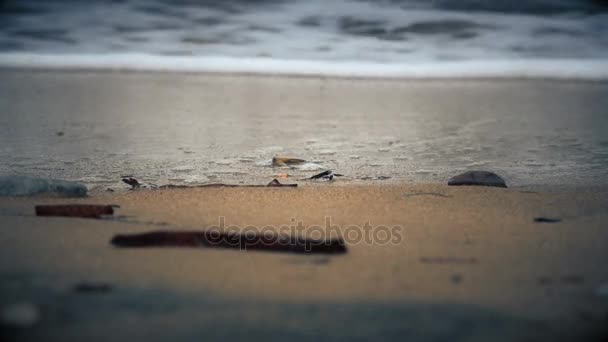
{"points": [[461, 263]]}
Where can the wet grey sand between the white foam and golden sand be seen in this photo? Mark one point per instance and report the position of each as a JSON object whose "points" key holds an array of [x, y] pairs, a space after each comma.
{"points": [[182, 128]]}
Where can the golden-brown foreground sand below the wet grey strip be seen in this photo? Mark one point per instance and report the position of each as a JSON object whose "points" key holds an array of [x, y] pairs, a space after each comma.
{"points": [[468, 263]]}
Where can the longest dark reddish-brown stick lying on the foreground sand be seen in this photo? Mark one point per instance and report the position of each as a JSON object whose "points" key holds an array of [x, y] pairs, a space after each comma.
{"points": [[244, 242]]}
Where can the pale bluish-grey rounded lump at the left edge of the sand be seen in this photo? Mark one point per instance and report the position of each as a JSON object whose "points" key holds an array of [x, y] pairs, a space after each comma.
{"points": [[29, 186]]}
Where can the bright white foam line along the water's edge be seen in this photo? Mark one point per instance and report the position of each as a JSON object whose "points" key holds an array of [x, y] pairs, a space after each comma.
{"points": [[583, 69]]}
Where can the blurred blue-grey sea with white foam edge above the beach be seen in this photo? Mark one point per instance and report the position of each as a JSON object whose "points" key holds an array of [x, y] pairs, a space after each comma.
{"points": [[536, 38]]}
